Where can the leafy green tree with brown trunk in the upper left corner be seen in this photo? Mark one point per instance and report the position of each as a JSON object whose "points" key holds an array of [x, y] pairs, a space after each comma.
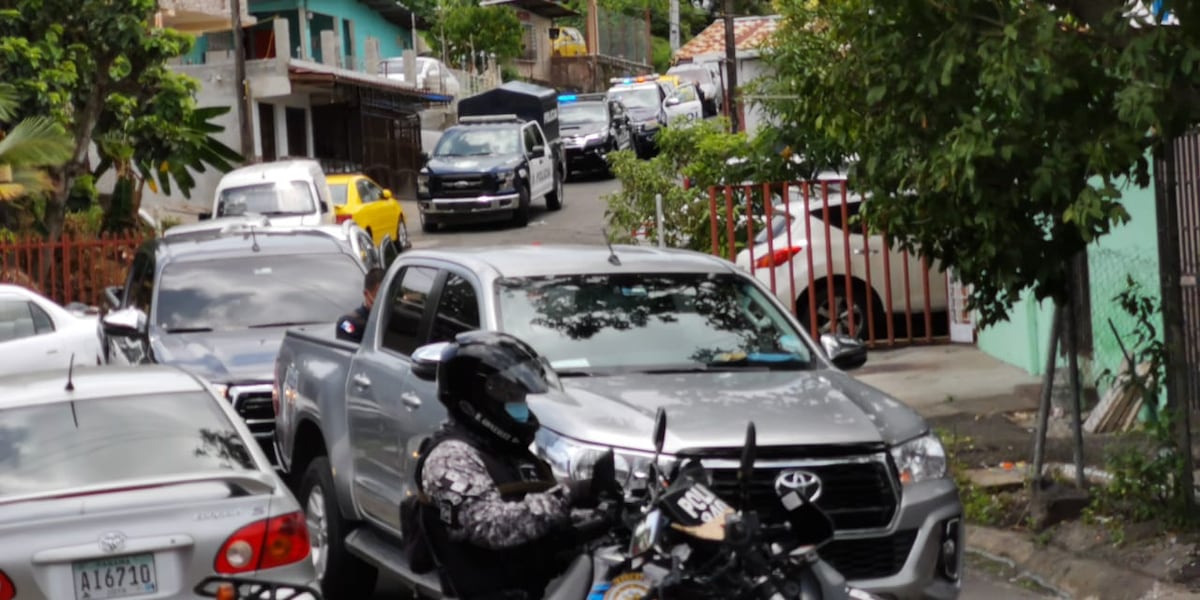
{"points": [[94, 65]]}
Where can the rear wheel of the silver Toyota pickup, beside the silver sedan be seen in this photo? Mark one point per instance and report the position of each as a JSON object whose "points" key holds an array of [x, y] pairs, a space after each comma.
{"points": [[343, 575]]}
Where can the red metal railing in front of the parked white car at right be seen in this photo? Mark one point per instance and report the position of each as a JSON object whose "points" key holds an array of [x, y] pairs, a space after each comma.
{"points": [[825, 263]]}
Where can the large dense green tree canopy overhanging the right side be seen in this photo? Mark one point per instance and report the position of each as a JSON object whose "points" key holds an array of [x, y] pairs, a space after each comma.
{"points": [[992, 136]]}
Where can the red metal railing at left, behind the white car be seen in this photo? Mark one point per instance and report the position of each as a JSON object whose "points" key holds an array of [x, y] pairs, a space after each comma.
{"points": [[69, 271]]}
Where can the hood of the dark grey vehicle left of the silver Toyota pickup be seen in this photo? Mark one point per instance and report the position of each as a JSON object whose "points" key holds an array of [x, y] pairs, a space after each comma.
{"points": [[244, 356]]}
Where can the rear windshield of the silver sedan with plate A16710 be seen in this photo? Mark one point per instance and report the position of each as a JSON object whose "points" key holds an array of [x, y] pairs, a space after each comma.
{"points": [[63, 446]]}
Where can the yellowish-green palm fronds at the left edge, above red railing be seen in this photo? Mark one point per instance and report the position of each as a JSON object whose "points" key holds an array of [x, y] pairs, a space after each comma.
{"points": [[27, 148]]}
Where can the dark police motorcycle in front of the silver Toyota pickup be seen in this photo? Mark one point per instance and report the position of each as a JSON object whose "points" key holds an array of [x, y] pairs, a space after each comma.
{"points": [[679, 539]]}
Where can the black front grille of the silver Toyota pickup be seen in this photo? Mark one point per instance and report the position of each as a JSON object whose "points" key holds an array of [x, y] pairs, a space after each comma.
{"points": [[860, 495]]}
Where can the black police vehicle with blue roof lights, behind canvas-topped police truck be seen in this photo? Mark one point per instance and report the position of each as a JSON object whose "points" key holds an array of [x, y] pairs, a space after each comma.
{"points": [[593, 125]]}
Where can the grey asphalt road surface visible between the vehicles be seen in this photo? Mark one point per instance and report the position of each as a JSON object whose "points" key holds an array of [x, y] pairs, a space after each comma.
{"points": [[581, 221]]}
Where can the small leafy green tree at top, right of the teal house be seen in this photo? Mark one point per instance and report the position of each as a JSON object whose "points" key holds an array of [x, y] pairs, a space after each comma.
{"points": [[469, 27]]}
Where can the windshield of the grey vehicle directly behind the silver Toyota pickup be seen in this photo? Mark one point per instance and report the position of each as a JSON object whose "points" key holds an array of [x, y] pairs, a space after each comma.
{"points": [[259, 291]]}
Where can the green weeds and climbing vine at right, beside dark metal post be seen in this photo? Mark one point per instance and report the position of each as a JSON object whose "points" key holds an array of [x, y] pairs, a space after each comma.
{"points": [[1143, 485]]}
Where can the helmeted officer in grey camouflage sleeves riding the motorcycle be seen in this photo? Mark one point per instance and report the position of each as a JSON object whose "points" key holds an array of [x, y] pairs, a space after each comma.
{"points": [[497, 521]]}
